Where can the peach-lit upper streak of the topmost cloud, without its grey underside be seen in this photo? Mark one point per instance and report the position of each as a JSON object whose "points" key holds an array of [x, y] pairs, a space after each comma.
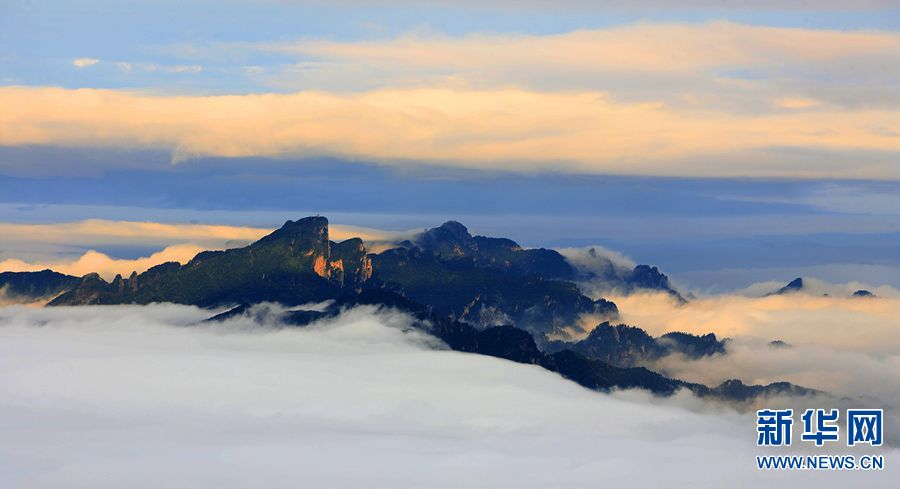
{"points": [[646, 47]]}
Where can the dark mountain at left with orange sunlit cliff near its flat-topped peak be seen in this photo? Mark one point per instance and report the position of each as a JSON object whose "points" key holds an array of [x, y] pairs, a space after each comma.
{"points": [[293, 265]]}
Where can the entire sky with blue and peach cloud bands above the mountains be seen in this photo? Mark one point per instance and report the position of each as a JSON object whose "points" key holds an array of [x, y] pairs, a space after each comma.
{"points": [[725, 142]]}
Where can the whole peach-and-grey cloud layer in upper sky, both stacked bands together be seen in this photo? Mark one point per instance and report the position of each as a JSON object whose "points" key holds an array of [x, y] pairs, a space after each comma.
{"points": [[710, 99]]}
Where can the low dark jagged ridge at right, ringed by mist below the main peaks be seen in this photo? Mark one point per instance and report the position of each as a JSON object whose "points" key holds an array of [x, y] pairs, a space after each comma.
{"points": [[629, 346]]}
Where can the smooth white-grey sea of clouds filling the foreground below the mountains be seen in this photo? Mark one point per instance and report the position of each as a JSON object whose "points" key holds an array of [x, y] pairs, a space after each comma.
{"points": [[246, 403]]}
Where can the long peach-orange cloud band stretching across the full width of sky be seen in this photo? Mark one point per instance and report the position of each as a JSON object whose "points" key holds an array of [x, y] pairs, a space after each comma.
{"points": [[506, 129]]}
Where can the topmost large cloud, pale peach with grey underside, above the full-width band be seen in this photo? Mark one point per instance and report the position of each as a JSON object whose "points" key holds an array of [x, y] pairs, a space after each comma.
{"points": [[717, 65]]}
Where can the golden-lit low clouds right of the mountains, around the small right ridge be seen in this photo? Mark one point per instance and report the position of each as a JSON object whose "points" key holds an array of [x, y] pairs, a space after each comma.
{"points": [[848, 347]]}
